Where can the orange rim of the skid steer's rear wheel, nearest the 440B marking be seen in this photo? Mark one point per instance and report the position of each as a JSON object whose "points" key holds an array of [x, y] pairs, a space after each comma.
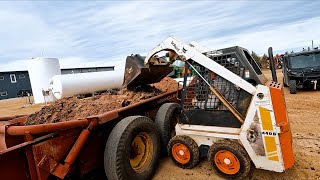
{"points": [[227, 162]]}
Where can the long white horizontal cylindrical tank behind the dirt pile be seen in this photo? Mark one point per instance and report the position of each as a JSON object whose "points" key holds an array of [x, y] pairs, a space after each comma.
{"points": [[85, 83]]}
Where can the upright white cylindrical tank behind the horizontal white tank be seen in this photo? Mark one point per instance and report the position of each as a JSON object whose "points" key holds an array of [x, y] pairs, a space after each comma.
{"points": [[41, 70]]}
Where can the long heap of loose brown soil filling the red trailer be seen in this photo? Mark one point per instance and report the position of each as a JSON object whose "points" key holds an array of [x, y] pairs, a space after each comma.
{"points": [[72, 108]]}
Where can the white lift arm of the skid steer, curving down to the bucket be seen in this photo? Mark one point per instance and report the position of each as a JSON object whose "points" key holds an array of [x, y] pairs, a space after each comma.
{"points": [[185, 52]]}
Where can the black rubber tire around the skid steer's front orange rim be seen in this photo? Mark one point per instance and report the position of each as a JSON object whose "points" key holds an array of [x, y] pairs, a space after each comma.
{"points": [[192, 148]]}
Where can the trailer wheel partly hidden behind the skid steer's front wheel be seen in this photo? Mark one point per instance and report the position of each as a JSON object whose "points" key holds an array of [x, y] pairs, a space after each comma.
{"points": [[166, 120]]}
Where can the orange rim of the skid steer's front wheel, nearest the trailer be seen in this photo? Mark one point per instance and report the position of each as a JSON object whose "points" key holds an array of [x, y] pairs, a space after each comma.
{"points": [[181, 153]]}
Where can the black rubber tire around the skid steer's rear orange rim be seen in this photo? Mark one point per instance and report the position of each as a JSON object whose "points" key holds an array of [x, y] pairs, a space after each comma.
{"points": [[238, 151]]}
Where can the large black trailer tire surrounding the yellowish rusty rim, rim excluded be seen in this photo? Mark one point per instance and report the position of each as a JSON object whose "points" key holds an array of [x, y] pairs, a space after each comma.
{"points": [[117, 151]]}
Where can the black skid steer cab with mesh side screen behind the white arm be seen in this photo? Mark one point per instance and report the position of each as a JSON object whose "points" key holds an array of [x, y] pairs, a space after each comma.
{"points": [[200, 107]]}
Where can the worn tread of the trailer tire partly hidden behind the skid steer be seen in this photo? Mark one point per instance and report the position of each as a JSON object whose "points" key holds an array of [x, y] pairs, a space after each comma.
{"points": [[163, 121]]}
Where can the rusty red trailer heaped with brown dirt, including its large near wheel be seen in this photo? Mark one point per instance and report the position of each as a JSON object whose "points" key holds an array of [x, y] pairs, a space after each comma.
{"points": [[71, 137]]}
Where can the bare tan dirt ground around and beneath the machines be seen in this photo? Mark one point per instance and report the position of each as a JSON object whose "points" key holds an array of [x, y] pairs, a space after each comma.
{"points": [[304, 116]]}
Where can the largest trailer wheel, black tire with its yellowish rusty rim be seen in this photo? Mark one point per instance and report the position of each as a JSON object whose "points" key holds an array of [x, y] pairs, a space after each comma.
{"points": [[132, 149]]}
